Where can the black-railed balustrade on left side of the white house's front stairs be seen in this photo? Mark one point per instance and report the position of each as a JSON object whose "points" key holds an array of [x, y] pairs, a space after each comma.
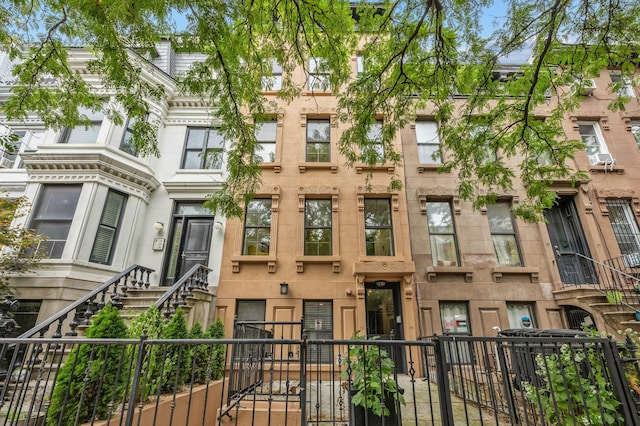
{"points": [[89, 297]]}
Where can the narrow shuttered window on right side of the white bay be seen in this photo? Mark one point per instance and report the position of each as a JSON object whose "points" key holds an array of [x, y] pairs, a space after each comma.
{"points": [[108, 230]]}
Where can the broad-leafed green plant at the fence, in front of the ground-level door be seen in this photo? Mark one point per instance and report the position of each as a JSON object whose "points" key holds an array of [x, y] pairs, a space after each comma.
{"points": [[371, 373]]}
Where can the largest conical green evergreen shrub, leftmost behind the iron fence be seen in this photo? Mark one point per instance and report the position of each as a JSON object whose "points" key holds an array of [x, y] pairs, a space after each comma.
{"points": [[85, 381]]}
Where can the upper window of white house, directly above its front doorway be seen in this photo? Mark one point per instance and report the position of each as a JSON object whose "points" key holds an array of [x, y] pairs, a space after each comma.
{"points": [[203, 149]]}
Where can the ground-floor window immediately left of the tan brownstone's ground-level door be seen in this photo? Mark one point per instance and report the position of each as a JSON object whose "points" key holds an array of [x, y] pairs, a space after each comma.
{"points": [[318, 323]]}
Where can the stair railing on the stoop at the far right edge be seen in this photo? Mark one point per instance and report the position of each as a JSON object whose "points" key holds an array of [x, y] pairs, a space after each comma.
{"points": [[611, 279]]}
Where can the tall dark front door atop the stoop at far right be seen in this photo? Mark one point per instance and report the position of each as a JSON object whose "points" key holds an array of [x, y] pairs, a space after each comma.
{"points": [[567, 238]]}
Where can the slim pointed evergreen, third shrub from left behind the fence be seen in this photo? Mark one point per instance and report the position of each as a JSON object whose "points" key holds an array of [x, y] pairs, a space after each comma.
{"points": [[176, 367]]}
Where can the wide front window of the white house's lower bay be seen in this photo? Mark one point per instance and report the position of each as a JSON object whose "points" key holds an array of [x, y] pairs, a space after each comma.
{"points": [[53, 216]]}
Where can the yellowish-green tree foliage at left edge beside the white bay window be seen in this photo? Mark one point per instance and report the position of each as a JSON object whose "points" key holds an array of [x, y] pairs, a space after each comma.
{"points": [[19, 243]]}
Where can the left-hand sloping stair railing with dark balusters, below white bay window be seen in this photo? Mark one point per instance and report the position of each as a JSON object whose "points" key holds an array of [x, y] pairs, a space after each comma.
{"points": [[113, 290]]}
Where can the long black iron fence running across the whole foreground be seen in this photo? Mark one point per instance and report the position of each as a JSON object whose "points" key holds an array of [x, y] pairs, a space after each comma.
{"points": [[449, 380]]}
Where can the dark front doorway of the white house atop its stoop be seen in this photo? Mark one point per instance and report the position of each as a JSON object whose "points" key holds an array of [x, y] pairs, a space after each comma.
{"points": [[190, 240]]}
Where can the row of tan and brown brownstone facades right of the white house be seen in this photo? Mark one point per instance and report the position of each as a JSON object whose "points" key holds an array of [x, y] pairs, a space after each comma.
{"points": [[420, 261]]}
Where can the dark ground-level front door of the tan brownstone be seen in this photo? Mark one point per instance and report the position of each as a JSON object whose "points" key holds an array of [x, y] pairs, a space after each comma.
{"points": [[384, 315]]}
